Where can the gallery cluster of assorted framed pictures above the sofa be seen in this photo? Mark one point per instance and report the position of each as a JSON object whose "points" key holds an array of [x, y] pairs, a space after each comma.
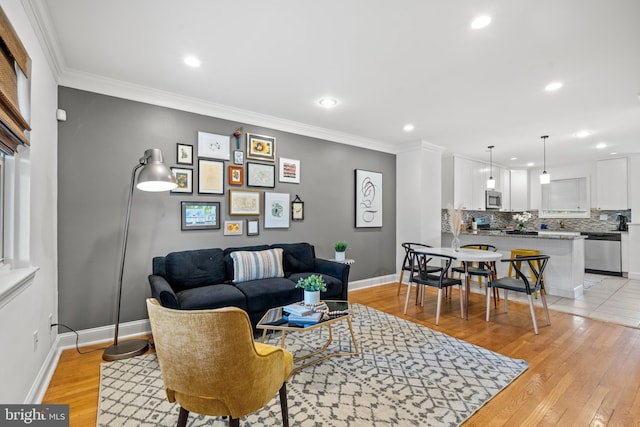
{"points": [[218, 163]]}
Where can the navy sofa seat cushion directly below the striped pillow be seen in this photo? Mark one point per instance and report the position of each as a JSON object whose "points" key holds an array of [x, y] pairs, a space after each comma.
{"points": [[268, 293]]}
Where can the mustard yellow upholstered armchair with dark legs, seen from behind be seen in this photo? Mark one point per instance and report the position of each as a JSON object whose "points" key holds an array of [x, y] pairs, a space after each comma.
{"points": [[211, 365]]}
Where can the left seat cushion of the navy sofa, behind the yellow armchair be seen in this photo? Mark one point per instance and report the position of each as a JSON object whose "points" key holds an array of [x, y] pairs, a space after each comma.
{"points": [[208, 297]]}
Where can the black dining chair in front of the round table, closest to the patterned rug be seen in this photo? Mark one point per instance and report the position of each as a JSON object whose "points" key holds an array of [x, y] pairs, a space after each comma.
{"points": [[431, 270]]}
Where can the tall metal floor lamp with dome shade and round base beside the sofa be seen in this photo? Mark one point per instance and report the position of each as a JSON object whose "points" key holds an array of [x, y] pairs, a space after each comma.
{"points": [[154, 176]]}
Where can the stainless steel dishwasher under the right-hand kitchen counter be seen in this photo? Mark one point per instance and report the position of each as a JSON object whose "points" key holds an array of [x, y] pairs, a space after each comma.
{"points": [[603, 253]]}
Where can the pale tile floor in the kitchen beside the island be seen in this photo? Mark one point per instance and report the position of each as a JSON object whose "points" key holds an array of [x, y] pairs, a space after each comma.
{"points": [[609, 298]]}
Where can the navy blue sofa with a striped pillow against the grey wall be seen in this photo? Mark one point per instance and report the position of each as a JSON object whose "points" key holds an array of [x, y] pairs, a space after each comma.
{"points": [[204, 279]]}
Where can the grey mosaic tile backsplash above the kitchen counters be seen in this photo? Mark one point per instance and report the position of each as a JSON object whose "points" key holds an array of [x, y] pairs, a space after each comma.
{"points": [[505, 220]]}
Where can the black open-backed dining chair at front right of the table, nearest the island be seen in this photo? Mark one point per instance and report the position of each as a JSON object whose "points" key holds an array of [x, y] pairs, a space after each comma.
{"points": [[537, 265]]}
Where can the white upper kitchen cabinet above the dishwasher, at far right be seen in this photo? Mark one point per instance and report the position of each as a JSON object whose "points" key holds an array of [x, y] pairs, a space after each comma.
{"points": [[611, 184]]}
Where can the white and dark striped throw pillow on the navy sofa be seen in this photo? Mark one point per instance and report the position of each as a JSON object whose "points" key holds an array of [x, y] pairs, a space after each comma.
{"points": [[255, 265]]}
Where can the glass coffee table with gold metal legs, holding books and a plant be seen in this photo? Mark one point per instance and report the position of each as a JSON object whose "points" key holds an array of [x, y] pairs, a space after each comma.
{"points": [[273, 321]]}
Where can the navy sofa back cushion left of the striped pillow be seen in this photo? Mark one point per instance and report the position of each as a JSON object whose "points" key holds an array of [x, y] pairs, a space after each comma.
{"points": [[195, 268]]}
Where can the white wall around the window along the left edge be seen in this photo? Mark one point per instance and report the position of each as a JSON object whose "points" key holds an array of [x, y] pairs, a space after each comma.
{"points": [[34, 232]]}
